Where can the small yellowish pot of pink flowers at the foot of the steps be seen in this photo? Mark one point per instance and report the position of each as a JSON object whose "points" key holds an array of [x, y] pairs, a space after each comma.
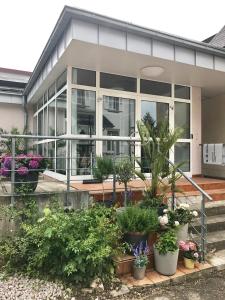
{"points": [[190, 253]]}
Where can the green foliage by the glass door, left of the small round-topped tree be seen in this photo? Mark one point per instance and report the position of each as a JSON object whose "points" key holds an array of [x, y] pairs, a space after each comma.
{"points": [[103, 168]]}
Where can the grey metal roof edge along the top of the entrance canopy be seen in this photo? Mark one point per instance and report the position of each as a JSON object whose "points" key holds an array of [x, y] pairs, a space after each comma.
{"points": [[70, 12]]}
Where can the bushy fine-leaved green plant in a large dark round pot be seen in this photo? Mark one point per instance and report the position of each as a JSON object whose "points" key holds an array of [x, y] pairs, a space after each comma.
{"points": [[136, 223]]}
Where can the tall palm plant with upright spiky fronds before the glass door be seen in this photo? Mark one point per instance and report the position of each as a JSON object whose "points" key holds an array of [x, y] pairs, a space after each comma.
{"points": [[156, 141]]}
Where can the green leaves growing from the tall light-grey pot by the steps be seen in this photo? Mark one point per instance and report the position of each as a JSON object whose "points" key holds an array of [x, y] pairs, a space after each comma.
{"points": [[167, 242]]}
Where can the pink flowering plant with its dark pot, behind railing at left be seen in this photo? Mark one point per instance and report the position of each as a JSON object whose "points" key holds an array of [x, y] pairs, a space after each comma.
{"points": [[27, 168]]}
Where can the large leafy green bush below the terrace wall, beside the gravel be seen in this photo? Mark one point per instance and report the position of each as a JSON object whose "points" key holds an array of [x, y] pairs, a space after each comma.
{"points": [[76, 246]]}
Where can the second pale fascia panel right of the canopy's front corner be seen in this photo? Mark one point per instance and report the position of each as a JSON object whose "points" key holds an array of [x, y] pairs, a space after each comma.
{"points": [[112, 38]]}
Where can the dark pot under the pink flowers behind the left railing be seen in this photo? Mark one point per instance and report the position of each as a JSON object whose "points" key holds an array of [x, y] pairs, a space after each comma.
{"points": [[27, 183]]}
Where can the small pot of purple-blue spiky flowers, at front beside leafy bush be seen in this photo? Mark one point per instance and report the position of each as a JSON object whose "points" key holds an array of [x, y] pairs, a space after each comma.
{"points": [[141, 260]]}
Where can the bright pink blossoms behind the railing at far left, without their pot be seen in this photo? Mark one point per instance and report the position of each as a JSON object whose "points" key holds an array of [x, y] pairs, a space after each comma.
{"points": [[23, 164]]}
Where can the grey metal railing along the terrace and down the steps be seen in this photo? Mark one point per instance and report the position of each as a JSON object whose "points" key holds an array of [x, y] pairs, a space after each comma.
{"points": [[69, 168]]}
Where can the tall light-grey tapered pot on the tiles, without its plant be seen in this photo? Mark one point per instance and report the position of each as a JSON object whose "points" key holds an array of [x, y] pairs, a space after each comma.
{"points": [[166, 264]]}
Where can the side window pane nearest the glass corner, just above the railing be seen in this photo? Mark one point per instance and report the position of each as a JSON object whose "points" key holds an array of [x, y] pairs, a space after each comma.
{"points": [[61, 120]]}
